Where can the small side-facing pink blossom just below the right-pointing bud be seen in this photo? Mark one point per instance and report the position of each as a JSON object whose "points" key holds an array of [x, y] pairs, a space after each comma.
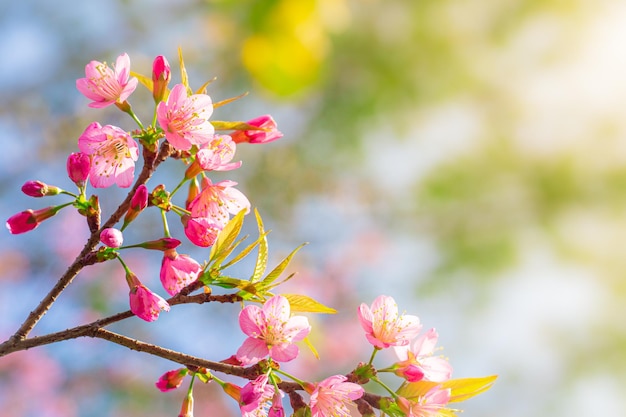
{"points": [[214, 156]]}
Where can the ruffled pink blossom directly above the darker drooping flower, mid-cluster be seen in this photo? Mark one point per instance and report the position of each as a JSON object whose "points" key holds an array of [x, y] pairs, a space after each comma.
{"points": [[216, 201]]}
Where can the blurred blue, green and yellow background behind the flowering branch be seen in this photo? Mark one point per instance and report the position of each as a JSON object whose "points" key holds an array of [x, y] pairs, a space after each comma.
{"points": [[466, 158]]}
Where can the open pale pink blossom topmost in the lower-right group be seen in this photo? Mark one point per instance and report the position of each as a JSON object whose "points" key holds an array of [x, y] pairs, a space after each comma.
{"points": [[383, 327]]}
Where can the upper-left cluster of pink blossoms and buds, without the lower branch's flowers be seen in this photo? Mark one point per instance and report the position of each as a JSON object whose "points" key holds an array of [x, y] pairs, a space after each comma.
{"points": [[108, 154]]}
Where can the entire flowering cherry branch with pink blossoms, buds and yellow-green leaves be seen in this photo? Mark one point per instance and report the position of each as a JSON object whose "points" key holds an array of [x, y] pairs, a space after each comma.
{"points": [[212, 215]]}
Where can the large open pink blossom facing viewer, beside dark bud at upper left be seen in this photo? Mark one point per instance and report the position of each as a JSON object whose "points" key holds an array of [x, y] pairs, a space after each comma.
{"points": [[113, 153]]}
